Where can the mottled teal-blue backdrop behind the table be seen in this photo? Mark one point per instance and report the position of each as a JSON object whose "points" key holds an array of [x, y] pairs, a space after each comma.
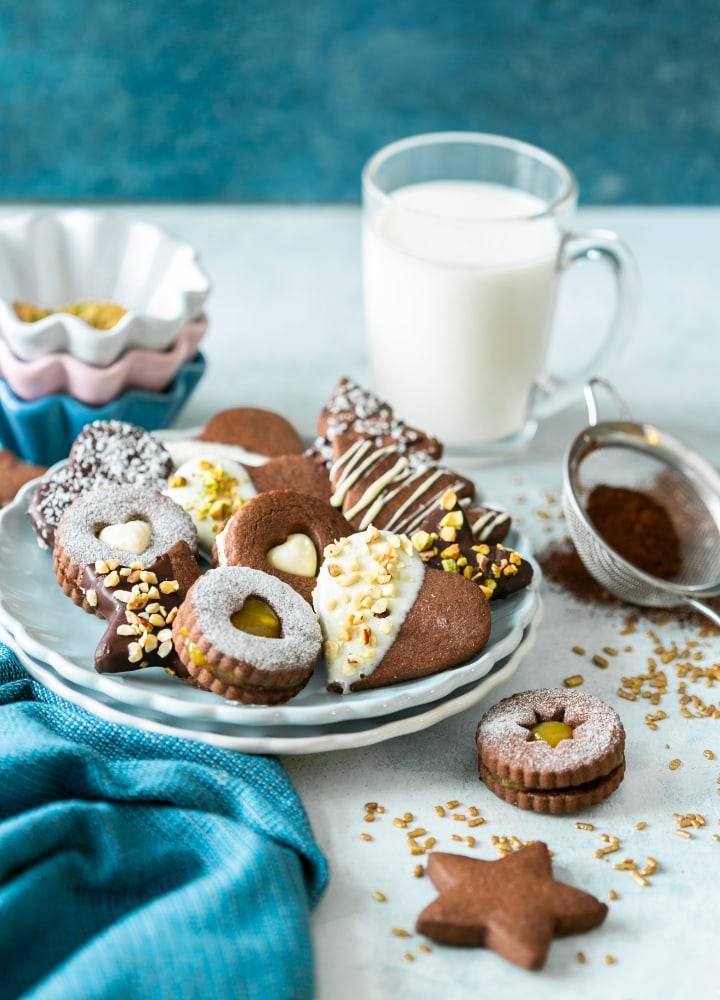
{"points": [[283, 100]]}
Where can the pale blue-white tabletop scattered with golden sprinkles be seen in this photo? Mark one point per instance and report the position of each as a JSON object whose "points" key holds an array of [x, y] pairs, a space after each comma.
{"points": [[286, 322]]}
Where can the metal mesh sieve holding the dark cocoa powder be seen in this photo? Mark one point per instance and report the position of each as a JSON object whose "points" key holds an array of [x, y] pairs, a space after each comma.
{"points": [[640, 457]]}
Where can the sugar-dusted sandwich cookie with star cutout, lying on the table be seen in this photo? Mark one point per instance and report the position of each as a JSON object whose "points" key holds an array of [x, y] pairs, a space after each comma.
{"points": [[552, 750]]}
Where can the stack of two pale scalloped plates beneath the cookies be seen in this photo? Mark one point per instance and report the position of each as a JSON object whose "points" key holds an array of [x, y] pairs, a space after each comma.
{"points": [[56, 642]]}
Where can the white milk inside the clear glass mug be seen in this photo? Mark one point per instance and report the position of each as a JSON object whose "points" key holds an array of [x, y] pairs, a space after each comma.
{"points": [[460, 284]]}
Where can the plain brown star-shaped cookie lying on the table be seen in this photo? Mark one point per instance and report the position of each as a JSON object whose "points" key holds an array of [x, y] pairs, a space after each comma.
{"points": [[513, 906]]}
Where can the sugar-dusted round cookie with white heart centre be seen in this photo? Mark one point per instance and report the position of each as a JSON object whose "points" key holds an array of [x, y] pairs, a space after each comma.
{"points": [[120, 524]]}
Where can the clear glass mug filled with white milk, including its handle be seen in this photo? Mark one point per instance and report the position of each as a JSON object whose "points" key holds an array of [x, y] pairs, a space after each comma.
{"points": [[465, 239]]}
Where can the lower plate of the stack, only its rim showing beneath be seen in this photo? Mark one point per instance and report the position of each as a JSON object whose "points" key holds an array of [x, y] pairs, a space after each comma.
{"points": [[287, 740]]}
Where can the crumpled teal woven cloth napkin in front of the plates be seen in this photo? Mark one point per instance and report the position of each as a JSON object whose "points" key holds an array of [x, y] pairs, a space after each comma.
{"points": [[137, 865]]}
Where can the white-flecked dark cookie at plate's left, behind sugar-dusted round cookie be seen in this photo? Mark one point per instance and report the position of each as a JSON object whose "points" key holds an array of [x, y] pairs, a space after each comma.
{"points": [[105, 452]]}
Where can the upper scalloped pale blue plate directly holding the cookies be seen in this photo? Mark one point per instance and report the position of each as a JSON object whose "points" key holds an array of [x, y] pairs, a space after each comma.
{"points": [[34, 609]]}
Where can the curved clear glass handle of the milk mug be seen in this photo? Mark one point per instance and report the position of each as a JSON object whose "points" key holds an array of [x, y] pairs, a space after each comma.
{"points": [[552, 393]]}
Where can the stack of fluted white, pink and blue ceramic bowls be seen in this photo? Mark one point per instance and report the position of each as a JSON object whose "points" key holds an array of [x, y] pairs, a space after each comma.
{"points": [[101, 317]]}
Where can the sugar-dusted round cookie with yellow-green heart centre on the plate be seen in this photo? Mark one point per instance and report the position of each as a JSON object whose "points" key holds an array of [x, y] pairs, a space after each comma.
{"points": [[247, 636]]}
